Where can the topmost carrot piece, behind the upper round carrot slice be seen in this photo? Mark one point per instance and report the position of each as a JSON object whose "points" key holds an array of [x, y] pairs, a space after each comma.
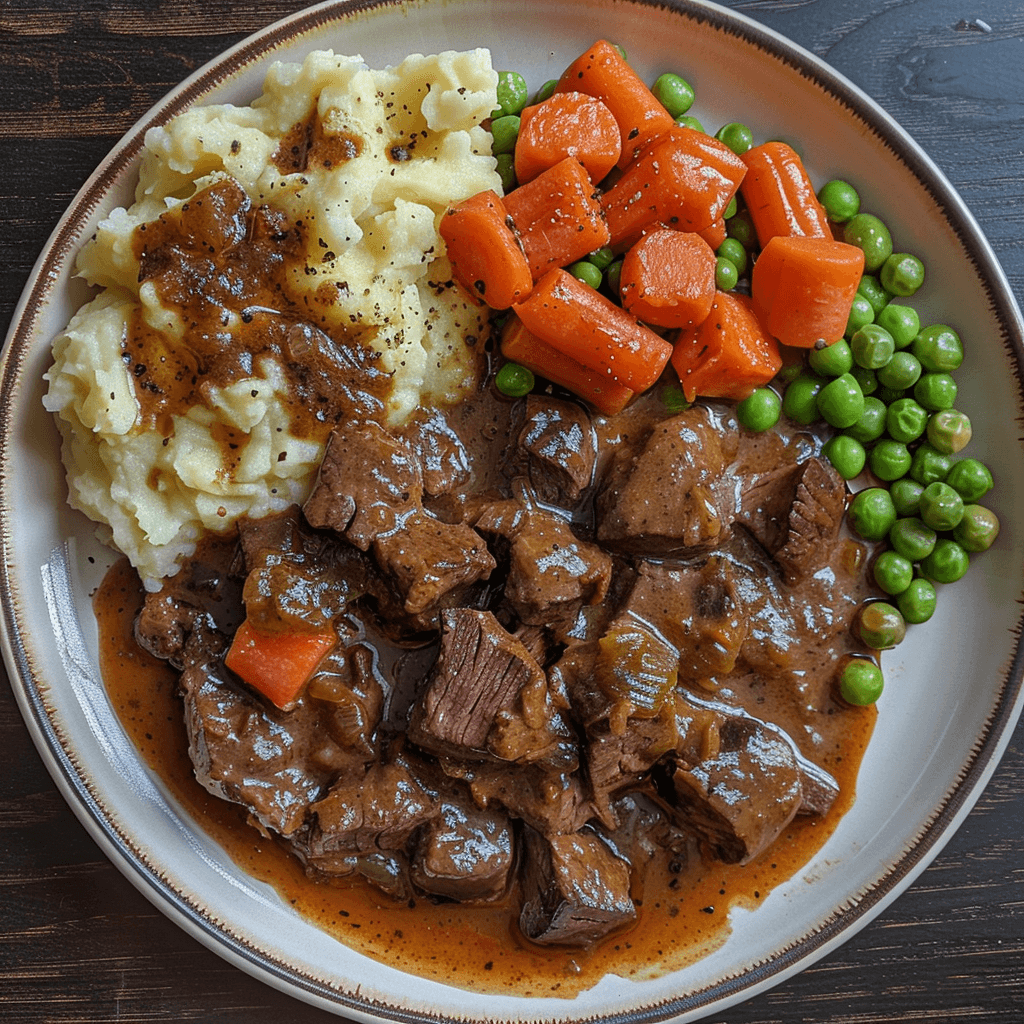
{"points": [[605, 74]]}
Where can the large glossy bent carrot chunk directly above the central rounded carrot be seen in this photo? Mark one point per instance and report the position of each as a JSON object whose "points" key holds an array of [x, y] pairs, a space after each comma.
{"points": [[685, 179]]}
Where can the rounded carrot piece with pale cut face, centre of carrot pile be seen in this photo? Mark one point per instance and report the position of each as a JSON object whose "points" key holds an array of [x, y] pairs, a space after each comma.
{"points": [[668, 279]]}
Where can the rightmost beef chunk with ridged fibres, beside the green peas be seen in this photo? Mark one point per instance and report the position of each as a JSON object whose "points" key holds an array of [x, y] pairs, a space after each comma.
{"points": [[795, 513]]}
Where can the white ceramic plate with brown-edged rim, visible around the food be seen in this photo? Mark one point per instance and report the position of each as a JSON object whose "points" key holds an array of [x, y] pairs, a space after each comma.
{"points": [[954, 689]]}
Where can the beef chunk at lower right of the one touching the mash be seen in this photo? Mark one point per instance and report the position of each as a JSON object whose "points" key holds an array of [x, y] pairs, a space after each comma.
{"points": [[432, 563]]}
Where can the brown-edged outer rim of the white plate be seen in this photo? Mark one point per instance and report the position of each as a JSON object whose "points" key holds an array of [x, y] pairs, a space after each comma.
{"points": [[75, 784]]}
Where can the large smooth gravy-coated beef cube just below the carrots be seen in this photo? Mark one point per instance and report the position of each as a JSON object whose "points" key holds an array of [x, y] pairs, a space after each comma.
{"points": [[669, 496]]}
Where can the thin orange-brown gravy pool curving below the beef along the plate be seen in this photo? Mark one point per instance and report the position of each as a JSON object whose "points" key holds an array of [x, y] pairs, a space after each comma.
{"points": [[685, 914]]}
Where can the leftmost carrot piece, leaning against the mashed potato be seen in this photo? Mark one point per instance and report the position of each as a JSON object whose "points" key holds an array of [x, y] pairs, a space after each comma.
{"points": [[486, 255]]}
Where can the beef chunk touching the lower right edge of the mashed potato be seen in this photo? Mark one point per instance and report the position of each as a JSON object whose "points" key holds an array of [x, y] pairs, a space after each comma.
{"points": [[368, 482]]}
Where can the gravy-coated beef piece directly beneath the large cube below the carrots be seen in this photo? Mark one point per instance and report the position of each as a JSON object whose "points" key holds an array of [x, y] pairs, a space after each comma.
{"points": [[698, 609]]}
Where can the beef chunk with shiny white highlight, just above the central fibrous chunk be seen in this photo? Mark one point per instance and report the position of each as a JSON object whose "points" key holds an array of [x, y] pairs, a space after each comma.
{"points": [[552, 574]]}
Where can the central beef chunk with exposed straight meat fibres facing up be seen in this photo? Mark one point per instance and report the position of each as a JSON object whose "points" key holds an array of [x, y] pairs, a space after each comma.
{"points": [[488, 698]]}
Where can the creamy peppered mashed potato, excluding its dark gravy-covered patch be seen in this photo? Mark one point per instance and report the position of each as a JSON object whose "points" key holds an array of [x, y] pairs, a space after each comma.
{"points": [[378, 156]]}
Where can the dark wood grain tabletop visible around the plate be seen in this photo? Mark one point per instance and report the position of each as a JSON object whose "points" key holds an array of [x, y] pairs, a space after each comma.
{"points": [[77, 943]]}
